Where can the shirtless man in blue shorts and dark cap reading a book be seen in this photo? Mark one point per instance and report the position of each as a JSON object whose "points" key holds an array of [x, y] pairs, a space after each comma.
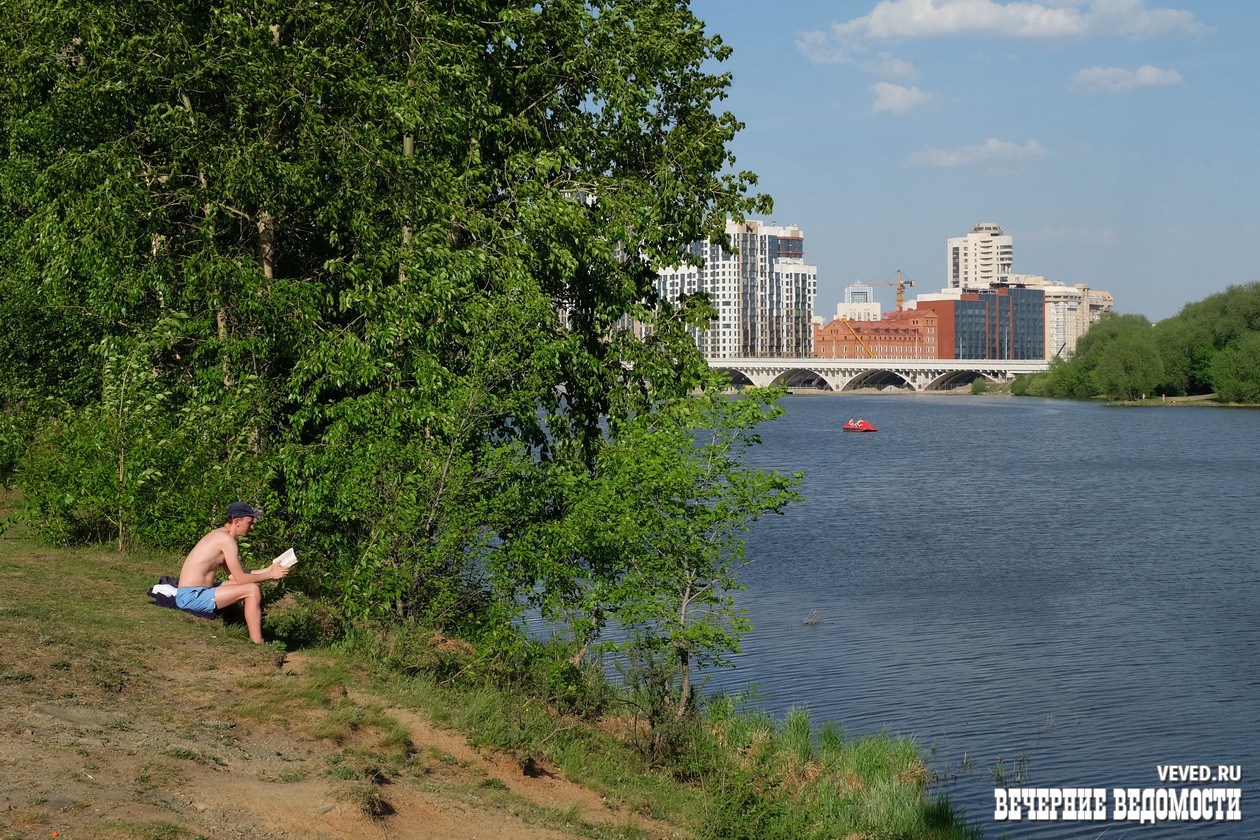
{"points": [[197, 589]]}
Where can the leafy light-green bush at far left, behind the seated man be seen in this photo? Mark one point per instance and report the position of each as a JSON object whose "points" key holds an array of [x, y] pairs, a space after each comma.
{"points": [[138, 468]]}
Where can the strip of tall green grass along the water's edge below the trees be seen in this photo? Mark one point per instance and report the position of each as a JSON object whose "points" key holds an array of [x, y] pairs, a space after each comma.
{"points": [[807, 785]]}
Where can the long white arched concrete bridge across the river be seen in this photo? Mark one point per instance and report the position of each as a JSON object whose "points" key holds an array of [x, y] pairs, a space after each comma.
{"points": [[851, 375]]}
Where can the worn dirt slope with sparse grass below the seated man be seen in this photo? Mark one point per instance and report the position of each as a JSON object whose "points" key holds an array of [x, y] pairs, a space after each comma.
{"points": [[138, 722]]}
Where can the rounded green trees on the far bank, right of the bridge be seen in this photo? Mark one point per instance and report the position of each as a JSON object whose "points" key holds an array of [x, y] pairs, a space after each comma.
{"points": [[1211, 347]]}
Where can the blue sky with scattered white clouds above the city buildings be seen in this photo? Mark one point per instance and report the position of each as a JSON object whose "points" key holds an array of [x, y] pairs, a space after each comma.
{"points": [[1116, 140]]}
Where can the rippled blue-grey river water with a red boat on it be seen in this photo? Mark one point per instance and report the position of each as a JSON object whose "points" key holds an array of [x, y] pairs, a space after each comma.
{"points": [[1043, 594]]}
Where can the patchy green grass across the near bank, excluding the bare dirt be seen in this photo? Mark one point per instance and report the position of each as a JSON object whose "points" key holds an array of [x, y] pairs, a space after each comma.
{"points": [[735, 774]]}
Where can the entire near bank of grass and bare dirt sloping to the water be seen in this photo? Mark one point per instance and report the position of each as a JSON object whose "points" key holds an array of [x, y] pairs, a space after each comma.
{"points": [[123, 720]]}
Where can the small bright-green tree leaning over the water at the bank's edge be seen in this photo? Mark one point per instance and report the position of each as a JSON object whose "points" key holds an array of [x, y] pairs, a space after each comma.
{"points": [[652, 542]]}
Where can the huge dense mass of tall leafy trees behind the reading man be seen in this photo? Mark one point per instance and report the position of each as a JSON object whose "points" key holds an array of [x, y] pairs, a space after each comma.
{"points": [[371, 266]]}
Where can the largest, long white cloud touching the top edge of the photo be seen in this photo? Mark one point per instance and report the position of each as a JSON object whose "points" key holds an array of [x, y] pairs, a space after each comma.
{"points": [[910, 20]]}
